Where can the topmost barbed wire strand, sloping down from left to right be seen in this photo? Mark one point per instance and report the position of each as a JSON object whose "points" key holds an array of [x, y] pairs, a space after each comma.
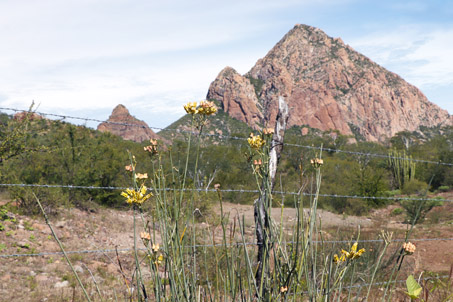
{"points": [[232, 137]]}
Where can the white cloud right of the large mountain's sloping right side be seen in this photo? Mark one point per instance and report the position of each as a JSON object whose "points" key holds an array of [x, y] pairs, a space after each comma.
{"points": [[421, 55]]}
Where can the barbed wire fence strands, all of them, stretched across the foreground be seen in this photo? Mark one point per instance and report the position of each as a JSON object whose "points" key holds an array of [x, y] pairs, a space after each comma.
{"points": [[224, 137]]}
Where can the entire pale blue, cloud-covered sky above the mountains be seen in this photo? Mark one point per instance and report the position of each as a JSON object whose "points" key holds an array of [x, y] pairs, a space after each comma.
{"points": [[84, 57]]}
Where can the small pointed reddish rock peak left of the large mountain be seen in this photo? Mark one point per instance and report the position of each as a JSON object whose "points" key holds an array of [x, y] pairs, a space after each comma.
{"points": [[121, 115]]}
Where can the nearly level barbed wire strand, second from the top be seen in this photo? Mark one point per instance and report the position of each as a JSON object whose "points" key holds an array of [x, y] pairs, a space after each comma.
{"points": [[229, 191]]}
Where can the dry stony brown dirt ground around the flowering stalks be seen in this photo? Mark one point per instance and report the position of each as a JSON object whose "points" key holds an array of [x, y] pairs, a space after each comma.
{"points": [[48, 277]]}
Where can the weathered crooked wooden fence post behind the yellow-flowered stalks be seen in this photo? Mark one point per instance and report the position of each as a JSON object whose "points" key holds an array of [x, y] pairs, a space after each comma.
{"points": [[262, 204]]}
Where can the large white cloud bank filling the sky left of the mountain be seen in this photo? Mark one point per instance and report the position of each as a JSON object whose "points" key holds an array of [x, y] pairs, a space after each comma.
{"points": [[95, 54]]}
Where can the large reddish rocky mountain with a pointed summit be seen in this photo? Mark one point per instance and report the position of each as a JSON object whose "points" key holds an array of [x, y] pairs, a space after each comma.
{"points": [[328, 86]]}
